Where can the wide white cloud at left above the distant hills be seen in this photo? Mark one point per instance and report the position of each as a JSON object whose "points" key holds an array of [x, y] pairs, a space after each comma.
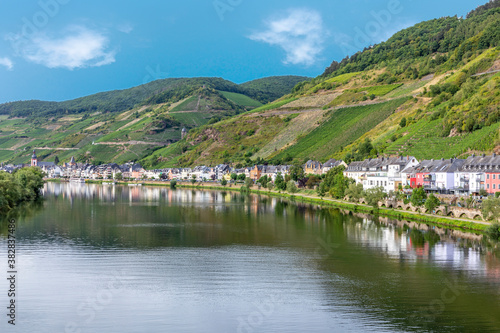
{"points": [[79, 48]]}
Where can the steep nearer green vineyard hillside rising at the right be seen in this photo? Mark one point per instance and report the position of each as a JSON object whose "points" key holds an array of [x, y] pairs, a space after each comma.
{"points": [[431, 91]]}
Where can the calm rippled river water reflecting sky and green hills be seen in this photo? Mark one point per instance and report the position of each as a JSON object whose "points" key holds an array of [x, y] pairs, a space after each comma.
{"points": [[148, 259]]}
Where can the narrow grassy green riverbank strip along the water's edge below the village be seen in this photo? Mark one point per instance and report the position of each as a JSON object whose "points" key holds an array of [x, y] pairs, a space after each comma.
{"points": [[467, 225]]}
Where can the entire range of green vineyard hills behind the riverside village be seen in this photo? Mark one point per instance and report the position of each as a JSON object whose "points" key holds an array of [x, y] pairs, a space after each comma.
{"points": [[431, 91]]}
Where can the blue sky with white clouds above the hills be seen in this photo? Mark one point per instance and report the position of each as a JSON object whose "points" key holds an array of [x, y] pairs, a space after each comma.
{"points": [[63, 49]]}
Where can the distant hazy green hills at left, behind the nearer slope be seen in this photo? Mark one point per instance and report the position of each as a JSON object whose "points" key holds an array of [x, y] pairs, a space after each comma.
{"points": [[127, 125]]}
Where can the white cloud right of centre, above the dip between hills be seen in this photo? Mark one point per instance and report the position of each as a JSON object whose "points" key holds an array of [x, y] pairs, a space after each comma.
{"points": [[300, 33]]}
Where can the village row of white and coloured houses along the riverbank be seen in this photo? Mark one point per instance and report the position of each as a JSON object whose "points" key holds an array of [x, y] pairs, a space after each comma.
{"points": [[476, 175]]}
